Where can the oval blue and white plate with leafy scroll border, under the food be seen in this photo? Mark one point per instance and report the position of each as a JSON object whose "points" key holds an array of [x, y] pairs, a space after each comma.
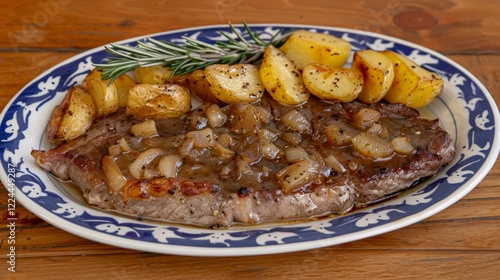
{"points": [[465, 109]]}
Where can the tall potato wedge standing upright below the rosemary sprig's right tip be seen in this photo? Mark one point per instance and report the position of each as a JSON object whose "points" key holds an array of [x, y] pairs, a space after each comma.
{"points": [[282, 79]]}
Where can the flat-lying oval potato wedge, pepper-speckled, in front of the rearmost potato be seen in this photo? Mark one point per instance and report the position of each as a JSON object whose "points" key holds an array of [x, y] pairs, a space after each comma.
{"points": [[333, 84]]}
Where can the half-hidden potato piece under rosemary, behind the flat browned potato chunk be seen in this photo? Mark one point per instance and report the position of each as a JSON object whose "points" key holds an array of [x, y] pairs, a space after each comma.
{"points": [[158, 75]]}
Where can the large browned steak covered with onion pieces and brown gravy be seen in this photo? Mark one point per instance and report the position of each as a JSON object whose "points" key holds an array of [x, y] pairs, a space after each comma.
{"points": [[262, 162]]}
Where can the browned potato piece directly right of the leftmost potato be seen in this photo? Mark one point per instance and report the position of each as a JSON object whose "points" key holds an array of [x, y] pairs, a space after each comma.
{"points": [[104, 94]]}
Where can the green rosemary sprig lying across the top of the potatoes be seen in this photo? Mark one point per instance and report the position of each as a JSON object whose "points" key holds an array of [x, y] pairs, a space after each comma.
{"points": [[193, 55]]}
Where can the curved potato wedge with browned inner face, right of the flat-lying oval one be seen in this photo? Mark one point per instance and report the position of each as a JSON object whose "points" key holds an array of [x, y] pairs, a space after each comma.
{"points": [[378, 74]]}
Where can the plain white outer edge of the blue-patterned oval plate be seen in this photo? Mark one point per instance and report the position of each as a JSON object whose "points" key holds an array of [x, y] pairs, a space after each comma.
{"points": [[267, 249]]}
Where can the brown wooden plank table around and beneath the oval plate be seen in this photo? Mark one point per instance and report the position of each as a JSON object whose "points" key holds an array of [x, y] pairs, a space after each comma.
{"points": [[461, 242]]}
